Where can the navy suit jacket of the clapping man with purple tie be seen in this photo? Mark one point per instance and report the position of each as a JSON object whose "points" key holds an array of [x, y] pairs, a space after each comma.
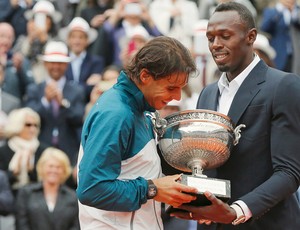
{"points": [[68, 122]]}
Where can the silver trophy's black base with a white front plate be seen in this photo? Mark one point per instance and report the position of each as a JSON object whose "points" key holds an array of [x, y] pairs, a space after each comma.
{"points": [[220, 188]]}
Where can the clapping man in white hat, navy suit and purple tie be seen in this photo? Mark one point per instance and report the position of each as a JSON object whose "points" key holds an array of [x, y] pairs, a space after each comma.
{"points": [[60, 103]]}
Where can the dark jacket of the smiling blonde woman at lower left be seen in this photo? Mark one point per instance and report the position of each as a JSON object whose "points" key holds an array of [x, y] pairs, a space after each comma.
{"points": [[32, 211]]}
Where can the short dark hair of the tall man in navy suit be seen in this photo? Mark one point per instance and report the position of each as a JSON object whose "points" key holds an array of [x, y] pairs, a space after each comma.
{"points": [[245, 15]]}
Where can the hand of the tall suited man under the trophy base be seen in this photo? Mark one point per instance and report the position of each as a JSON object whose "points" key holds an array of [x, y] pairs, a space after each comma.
{"points": [[218, 211]]}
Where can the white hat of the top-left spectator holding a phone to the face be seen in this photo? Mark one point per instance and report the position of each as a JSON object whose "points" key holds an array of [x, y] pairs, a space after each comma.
{"points": [[45, 7]]}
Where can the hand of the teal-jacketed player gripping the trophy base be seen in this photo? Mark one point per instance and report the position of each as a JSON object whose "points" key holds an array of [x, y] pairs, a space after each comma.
{"points": [[171, 192]]}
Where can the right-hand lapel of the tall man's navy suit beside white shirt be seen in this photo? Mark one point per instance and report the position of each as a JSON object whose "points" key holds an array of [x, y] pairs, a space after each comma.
{"points": [[247, 91]]}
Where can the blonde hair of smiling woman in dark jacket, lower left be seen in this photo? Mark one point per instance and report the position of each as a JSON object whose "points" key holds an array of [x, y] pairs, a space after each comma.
{"points": [[57, 154]]}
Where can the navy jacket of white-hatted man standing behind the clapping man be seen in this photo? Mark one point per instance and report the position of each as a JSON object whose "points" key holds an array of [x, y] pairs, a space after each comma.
{"points": [[90, 65]]}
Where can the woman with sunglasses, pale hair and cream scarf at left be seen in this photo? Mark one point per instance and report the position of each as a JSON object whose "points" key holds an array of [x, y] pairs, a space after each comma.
{"points": [[19, 154]]}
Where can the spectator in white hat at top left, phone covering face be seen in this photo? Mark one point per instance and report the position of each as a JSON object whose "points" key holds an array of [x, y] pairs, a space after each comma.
{"points": [[43, 21]]}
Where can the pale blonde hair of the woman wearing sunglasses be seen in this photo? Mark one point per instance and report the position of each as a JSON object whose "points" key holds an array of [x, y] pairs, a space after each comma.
{"points": [[17, 119]]}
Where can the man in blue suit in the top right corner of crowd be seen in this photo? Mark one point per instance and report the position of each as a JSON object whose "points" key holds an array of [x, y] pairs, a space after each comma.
{"points": [[281, 21]]}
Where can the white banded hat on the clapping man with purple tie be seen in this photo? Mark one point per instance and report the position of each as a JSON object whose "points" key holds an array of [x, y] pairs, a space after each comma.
{"points": [[56, 51]]}
